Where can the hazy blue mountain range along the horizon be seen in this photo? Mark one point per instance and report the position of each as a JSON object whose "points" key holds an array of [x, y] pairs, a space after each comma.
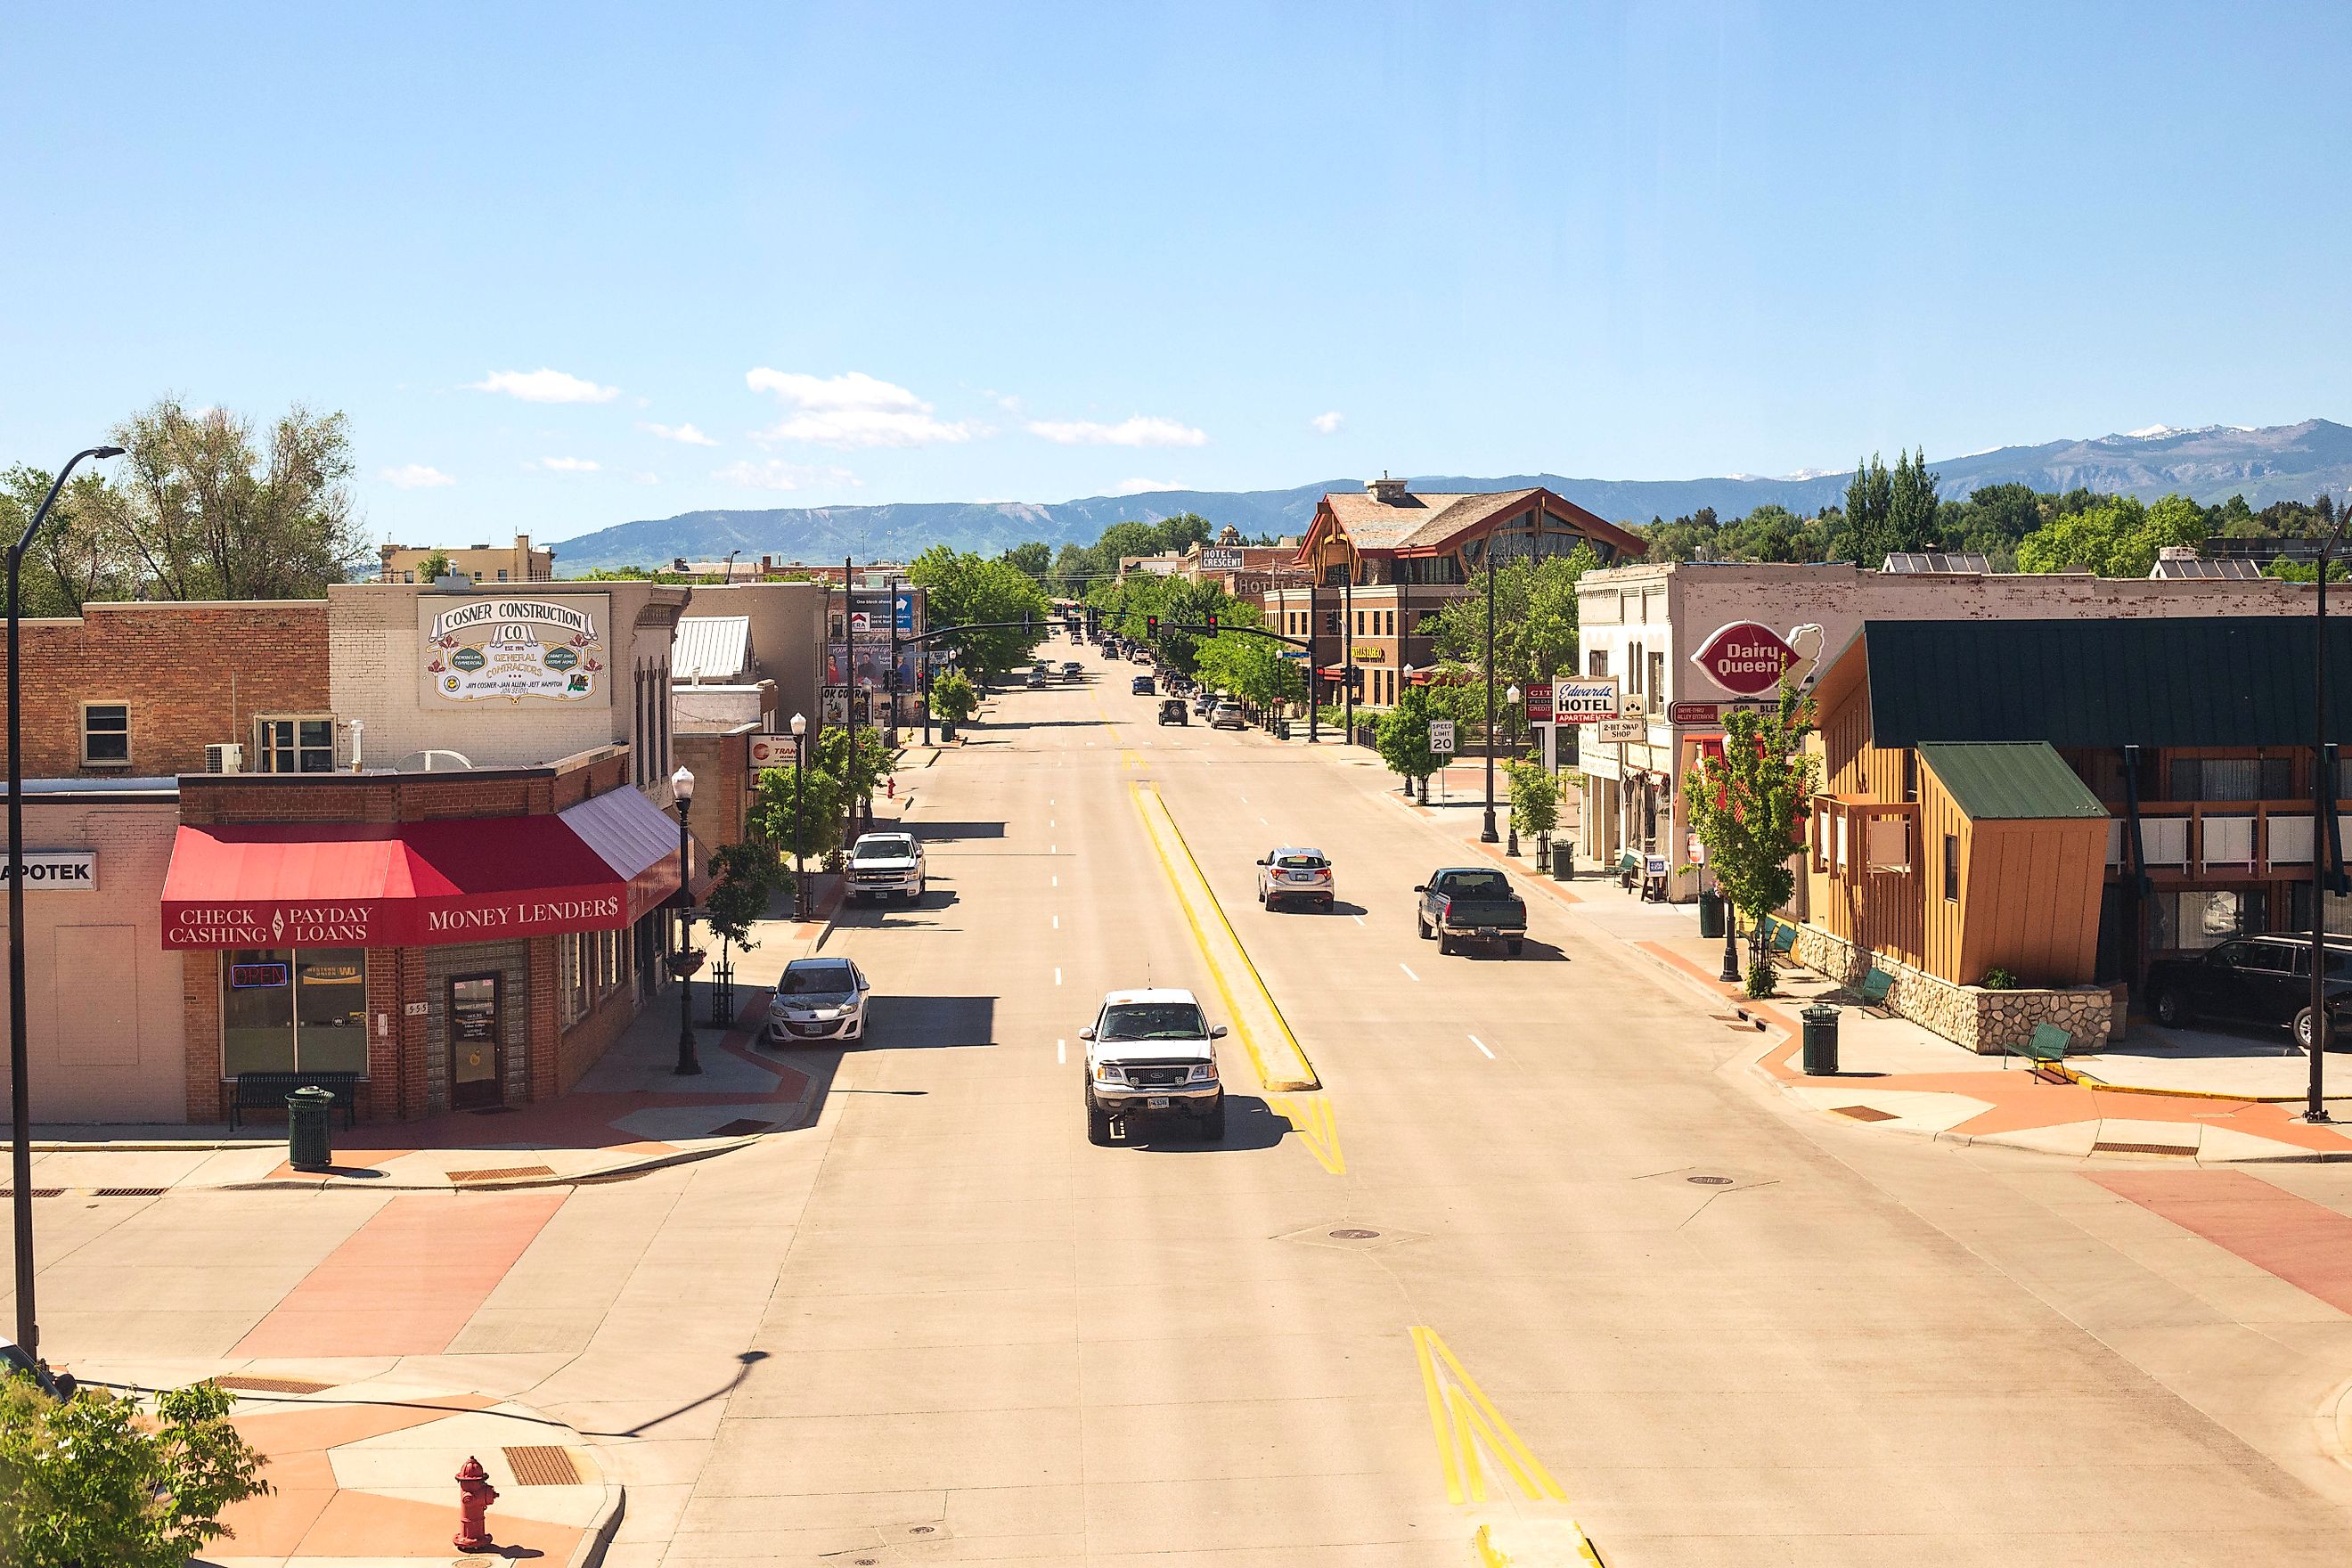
{"points": [[2210, 464]]}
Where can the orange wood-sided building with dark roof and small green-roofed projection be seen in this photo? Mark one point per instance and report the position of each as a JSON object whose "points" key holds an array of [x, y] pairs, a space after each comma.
{"points": [[2066, 800]]}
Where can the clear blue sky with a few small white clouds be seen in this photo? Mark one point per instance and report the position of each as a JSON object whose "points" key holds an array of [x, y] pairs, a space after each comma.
{"points": [[949, 253]]}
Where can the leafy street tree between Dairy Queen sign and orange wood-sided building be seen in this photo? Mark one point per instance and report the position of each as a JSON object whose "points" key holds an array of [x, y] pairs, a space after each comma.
{"points": [[1746, 808]]}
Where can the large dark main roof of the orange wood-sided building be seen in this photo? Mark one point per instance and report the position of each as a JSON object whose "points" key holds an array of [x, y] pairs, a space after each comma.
{"points": [[2186, 681]]}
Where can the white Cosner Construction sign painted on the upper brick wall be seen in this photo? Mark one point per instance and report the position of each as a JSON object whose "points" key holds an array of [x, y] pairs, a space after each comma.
{"points": [[519, 652]]}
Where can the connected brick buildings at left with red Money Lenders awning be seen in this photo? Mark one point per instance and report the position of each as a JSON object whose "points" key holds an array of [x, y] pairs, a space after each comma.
{"points": [[410, 836]]}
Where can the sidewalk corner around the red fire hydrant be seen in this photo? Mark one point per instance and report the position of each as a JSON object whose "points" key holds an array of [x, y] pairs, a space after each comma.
{"points": [[363, 1473]]}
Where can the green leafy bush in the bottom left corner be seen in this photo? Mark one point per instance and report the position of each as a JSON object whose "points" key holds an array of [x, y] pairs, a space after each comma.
{"points": [[95, 1480]]}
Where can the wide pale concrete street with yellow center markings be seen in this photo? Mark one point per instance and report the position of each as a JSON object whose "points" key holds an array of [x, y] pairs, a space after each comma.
{"points": [[1544, 1254]]}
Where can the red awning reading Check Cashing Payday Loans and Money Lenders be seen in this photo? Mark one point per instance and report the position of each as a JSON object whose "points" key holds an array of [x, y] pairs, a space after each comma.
{"points": [[415, 885]]}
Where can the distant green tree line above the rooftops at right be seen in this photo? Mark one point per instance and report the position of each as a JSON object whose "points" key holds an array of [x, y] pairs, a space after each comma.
{"points": [[2012, 525]]}
